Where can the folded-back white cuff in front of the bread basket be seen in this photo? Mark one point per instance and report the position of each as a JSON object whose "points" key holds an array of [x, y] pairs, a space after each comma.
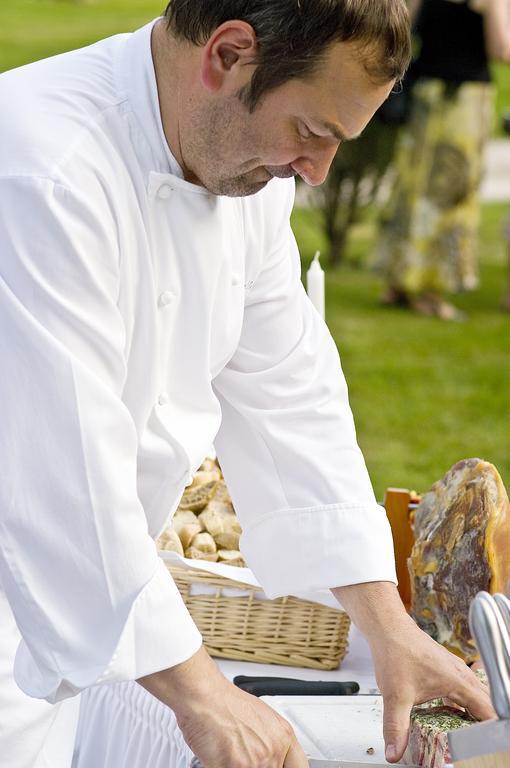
{"points": [[303, 550]]}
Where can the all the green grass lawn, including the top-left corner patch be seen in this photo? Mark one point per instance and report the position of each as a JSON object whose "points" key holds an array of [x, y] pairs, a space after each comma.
{"points": [[424, 393]]}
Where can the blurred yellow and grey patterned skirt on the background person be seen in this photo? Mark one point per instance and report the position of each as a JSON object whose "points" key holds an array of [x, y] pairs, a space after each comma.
{"points": [[428, 241]]}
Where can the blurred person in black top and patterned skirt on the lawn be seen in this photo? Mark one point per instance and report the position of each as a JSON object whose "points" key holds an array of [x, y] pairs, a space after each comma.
{"points": [[428, 243]]}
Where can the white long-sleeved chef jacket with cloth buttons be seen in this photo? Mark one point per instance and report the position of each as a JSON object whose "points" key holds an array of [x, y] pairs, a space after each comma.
{"points": [[141, 319]]}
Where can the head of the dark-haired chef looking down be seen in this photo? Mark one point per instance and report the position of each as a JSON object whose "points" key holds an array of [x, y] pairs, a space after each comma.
{"points": [[271, 87]]}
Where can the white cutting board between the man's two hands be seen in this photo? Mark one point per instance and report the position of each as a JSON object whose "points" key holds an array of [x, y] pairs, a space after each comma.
{"points": [[335, 727]]}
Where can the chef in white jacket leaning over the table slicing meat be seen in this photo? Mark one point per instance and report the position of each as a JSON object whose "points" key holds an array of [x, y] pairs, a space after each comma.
{"points": [[150, 304]]}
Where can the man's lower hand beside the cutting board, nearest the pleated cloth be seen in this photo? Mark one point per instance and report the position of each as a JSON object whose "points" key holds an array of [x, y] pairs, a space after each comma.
{"points": [[224, 726]]}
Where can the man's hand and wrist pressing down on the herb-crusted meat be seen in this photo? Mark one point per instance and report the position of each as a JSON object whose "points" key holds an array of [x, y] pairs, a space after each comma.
{"points": [[410, 667]]}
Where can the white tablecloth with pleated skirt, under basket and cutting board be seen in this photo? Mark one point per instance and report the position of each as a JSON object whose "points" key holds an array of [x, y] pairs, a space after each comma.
{"points": [[123, 726]]}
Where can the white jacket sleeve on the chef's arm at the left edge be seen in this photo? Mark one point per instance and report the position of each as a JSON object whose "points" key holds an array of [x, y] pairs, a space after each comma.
{"points": [[92, 600]]}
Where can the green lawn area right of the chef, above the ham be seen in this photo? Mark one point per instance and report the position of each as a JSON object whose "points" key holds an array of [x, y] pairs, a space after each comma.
{"points": [[425, 393]]}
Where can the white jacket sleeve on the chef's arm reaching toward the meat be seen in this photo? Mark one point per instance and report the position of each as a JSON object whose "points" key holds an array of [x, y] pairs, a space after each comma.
{"points": [[287, 443]]}
